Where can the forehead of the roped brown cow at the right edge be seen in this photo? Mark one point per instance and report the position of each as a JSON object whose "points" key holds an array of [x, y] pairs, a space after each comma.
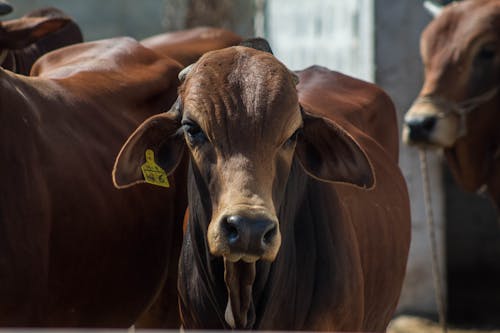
{"points": [[460, 25]]}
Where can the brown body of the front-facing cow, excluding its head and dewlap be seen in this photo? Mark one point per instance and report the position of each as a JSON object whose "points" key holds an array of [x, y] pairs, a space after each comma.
{"points": [[343, 253]]}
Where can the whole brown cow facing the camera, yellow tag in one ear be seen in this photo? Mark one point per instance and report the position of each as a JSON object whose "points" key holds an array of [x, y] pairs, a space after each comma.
{"points": [[298, 220]]}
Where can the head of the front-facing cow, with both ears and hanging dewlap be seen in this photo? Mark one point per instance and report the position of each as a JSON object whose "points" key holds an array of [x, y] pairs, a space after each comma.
{"points": [[239, 117]]}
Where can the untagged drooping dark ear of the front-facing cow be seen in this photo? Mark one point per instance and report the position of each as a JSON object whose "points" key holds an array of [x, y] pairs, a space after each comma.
{"points": [[328, 153]]}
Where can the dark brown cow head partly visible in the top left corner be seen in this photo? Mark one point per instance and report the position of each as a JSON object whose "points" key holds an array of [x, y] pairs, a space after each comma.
{"points": [[24, 40]]}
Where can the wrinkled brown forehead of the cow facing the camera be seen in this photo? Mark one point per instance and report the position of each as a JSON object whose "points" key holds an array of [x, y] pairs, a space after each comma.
{"points": [[241, 97]]}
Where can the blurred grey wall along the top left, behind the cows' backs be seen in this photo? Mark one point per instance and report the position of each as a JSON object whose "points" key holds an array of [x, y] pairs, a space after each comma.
{"points": [[140, 19]]}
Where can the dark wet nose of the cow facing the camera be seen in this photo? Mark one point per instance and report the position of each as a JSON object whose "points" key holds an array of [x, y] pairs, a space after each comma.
{"points": [[249, 235]]}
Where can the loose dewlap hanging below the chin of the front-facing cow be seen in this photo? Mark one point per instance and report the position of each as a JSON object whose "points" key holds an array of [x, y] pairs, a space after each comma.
{"points": [[239, 277]]}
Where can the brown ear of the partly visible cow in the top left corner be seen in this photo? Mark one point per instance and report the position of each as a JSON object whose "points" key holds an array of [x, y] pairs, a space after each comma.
{"points": [[19, 33]]}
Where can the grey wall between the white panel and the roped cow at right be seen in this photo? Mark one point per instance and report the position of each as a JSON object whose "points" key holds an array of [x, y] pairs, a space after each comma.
{"points": [[399, 71]]}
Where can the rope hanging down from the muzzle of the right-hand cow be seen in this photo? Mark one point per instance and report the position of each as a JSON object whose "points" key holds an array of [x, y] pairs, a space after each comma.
{"points": [[436, 272]]}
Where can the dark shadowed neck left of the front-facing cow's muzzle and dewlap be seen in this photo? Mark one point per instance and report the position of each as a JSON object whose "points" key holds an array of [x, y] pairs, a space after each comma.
{"points": [[201, 277]]}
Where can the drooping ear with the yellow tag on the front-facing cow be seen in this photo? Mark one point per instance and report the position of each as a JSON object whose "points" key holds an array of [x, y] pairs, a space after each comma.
{"points": [[158, 136]]}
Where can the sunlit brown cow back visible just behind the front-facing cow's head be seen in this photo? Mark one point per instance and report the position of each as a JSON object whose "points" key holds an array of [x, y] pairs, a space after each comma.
{"points": [[187, 46]]}
